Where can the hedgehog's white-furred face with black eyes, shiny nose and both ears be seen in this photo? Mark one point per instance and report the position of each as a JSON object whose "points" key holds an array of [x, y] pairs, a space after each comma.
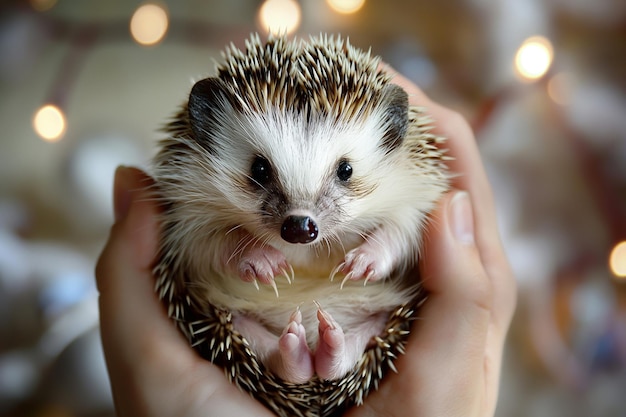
{"points": [[305, 173]]}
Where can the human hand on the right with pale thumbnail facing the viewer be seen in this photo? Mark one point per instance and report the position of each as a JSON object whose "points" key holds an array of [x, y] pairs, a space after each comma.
{"points": [[454, 353]]}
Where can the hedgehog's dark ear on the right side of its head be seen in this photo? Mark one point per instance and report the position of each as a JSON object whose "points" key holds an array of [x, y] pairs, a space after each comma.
{"points": [[396, 101]]}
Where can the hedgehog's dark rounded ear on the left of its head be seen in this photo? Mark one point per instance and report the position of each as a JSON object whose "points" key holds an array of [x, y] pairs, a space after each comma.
{"points": [[208, 98]]}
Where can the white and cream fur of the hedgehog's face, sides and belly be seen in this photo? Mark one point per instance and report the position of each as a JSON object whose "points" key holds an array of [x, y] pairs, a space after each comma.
{"points": [[217, 217]]}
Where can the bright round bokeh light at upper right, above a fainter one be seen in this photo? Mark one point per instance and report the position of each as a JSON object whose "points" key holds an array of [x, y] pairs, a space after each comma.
{"points": [[533, 58]]}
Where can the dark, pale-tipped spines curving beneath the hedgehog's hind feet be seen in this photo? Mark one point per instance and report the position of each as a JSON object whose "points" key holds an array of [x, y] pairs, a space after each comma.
{"points": [[210, 331]]}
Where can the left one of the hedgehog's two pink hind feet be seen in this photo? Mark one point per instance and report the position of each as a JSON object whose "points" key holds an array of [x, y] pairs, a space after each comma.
{"points": [[294, 362]]}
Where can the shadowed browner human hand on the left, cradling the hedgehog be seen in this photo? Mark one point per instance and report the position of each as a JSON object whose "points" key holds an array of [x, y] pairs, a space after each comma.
{"points": [[152, 368]]}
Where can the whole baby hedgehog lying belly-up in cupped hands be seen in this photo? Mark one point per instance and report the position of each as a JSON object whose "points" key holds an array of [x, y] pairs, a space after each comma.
{"points": [[295, 186]]}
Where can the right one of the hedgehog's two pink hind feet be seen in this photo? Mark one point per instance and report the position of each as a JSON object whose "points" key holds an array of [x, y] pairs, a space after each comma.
{"points": [[331, 356]]}
